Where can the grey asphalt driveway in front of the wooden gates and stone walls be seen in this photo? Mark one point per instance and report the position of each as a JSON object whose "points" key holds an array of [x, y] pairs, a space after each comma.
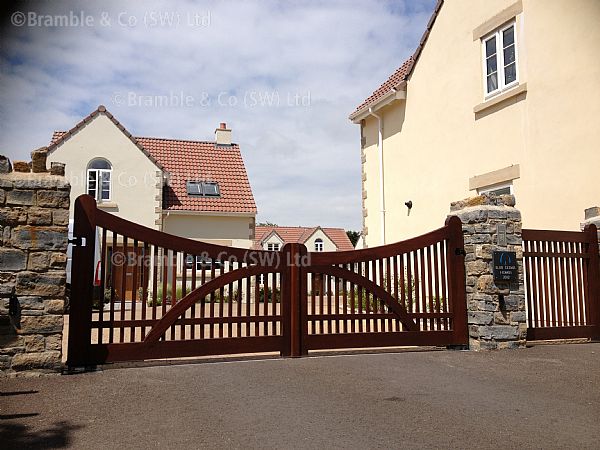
{"points": [[541, 397]]}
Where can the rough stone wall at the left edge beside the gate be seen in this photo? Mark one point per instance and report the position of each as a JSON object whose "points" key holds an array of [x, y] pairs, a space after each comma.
{"points": [[34, 218]]}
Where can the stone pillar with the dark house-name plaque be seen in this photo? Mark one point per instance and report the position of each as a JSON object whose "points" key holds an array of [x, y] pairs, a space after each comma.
{"points": [[496, 310]]}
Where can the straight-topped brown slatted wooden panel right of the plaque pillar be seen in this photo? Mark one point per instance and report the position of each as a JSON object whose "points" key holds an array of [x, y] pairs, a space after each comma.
{"points": [[562, 284]]}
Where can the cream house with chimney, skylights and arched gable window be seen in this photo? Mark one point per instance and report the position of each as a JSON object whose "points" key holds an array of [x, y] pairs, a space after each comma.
{"points": [[193, 189]]}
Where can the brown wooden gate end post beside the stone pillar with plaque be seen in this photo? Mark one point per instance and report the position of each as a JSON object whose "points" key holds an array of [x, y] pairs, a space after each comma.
{"points": [[456, 272]]}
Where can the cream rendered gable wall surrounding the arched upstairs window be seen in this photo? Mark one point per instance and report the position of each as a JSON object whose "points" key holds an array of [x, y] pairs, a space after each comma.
{"points": [[135, 179]]}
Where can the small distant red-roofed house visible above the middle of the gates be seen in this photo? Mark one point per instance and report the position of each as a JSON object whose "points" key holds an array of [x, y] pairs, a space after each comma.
{"points": [[316, 239]]}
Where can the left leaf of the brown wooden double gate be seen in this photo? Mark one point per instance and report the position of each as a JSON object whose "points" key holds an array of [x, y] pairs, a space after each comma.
{"points": [[166, 296]]}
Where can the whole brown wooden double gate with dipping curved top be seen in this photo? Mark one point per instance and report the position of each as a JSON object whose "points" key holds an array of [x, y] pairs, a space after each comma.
{"points": [[189, 298]]}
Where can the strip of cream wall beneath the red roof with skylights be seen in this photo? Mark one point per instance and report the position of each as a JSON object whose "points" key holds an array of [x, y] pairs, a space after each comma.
{"points": [[223, 230]]}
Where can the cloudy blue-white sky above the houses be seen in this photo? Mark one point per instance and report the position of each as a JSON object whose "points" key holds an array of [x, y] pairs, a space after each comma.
{"points": [[284, 76]]}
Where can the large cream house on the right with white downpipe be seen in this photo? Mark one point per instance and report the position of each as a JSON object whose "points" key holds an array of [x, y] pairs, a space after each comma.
{"points": [[500, 96]]}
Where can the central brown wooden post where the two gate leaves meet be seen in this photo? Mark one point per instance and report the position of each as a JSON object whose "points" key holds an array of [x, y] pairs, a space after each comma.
{"points": [[293, 297]]}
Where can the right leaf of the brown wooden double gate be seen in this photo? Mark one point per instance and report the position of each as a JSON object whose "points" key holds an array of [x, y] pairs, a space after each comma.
{"points": [[407, 293]]}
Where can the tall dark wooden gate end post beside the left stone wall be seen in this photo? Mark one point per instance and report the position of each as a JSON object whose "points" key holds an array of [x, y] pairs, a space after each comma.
{"points": [[82, 279]]}
